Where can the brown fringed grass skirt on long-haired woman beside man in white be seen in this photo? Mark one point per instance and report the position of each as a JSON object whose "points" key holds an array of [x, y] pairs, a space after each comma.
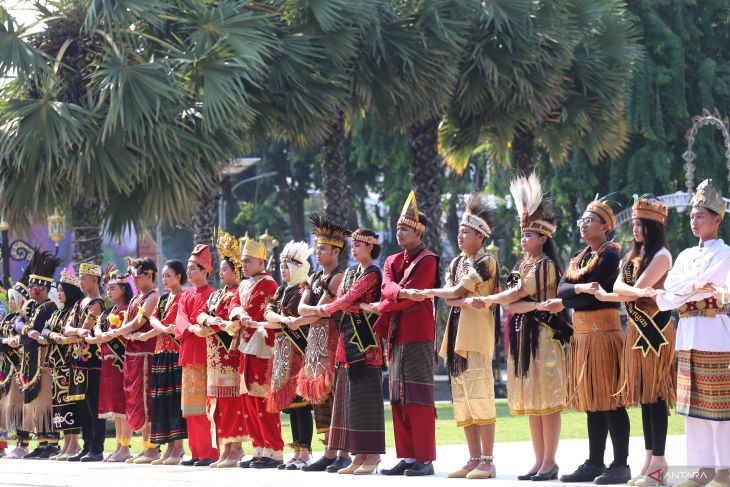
{"points": [[651, 377]]}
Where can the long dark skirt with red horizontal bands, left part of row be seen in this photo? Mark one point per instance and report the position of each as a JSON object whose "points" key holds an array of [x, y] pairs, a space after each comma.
{"points": [[168, 424]]}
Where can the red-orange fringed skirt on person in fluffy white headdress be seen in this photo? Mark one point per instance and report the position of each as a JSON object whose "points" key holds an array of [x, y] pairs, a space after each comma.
{"points": [[285, 367]]}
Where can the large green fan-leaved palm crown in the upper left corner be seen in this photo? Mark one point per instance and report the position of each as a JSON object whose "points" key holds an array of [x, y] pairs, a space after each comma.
{"points": [[124, 113]]}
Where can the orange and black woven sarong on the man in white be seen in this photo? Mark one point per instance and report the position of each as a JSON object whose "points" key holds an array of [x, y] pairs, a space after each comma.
{"points": [[703, 385]]}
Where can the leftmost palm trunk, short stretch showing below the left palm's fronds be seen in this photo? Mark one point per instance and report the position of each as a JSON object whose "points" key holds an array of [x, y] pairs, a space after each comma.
{"points": [[85, 220]]}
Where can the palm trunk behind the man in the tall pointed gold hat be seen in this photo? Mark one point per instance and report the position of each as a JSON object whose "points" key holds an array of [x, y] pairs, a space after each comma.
{"points": [[426, 169]]}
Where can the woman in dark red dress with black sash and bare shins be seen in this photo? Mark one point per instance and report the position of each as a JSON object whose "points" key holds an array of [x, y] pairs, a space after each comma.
{"points": [[112, 402]]}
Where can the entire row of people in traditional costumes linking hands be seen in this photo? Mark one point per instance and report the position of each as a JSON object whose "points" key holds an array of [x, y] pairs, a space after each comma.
{"points": [[218, 367]]}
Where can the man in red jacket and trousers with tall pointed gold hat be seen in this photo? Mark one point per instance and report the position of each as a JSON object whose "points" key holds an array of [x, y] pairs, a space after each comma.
{"points": [[407, 323]]}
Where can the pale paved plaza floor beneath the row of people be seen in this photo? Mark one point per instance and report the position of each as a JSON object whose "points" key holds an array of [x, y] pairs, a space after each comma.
{"points": [[511, 459]]}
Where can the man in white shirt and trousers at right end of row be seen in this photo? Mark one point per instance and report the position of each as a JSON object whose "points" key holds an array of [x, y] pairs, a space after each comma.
{"points": [[698, 286]]}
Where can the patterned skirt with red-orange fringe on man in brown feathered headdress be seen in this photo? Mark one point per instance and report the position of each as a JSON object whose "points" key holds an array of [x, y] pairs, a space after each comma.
{"points": [[317, 377]]}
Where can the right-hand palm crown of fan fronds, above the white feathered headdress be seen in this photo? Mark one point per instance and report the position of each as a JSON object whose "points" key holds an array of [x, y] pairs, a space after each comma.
{"points": [[562, 87]]}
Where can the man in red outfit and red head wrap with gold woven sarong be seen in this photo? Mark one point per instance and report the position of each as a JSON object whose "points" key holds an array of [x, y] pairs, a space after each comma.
{"points": [[193, 358]]}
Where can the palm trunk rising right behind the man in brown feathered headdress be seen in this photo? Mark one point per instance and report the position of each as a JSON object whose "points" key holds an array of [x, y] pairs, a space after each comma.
{"points": [[337, 198]]}
